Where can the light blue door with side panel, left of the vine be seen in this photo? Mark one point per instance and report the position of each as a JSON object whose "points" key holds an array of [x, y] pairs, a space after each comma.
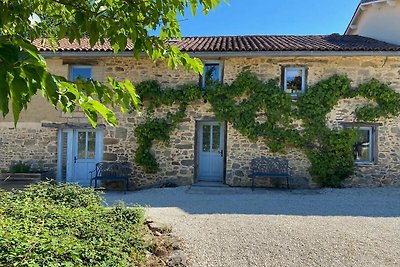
{"points": [[83, 149]]}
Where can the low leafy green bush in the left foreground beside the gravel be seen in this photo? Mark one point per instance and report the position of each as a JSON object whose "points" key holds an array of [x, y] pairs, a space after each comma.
{"points": [[66, 225]]}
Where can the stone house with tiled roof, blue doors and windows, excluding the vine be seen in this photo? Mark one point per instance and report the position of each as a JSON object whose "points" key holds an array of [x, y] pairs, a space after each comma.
{"points": [[202, 148]]}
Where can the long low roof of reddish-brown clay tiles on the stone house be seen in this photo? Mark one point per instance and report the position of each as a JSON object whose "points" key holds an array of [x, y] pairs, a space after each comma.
{"points": [[333, 42]]}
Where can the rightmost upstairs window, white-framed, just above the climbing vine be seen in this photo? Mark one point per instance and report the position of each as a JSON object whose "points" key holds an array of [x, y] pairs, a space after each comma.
{"points": [[294, 80]]}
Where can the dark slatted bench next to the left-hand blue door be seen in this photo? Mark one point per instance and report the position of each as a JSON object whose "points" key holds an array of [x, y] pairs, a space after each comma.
{"points": [[111, 171]]}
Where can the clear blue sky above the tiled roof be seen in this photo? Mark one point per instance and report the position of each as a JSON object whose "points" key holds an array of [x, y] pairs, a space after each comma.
{"points": [[247, 17]]}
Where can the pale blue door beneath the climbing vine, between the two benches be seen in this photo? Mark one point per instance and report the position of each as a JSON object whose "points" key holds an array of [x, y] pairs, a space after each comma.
{"points": [[210, 147]]}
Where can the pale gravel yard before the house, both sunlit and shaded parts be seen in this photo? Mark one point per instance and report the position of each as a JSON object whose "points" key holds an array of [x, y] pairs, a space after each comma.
{"points": [[238, 227]]}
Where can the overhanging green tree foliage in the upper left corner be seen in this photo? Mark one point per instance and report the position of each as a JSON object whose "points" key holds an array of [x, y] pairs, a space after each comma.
{"points": [[24, 72]]}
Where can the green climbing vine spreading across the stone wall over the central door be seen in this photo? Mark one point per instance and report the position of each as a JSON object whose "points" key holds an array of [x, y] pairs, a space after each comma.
{"points": [[261, 110]]}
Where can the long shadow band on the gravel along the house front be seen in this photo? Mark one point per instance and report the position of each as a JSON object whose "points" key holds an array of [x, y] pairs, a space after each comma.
{"points": [[379, 202]]}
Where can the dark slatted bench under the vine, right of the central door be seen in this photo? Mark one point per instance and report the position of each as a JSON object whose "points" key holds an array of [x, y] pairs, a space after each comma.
{"points": [[263, 167]]}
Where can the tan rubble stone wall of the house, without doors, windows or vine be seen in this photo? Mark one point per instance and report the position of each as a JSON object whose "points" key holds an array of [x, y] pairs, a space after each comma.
{"points": [[30, 141]]}
